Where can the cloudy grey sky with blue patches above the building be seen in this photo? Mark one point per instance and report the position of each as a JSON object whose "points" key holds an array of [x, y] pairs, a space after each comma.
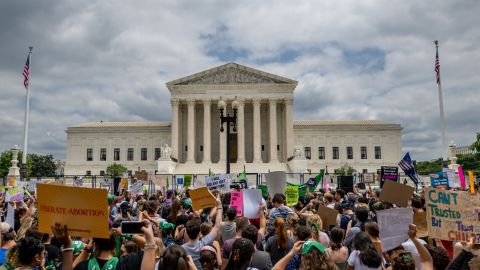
{"points": [[109, 60]]}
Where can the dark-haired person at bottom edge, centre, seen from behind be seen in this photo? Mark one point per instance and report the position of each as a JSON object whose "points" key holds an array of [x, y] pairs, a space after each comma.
{"points": [[241, 257]]}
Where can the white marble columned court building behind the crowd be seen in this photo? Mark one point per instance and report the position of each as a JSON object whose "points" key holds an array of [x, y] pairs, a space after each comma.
{"points": [[266, 136]]}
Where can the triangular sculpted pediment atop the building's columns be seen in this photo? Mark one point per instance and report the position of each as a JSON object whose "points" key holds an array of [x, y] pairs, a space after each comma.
{"points": [[232, 73]]}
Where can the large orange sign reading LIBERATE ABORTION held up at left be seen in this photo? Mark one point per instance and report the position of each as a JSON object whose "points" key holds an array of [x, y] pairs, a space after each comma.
{"points": [[83, 210]]}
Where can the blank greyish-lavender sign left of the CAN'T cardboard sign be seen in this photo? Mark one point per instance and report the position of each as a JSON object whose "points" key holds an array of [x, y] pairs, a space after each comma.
{"points": [[393, 226]]}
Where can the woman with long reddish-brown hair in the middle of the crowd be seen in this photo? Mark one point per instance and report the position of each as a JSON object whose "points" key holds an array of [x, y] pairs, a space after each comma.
{"points": [[279, 244]]}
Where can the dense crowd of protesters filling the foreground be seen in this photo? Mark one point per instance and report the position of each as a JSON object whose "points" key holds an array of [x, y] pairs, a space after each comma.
{"points": [[174, 236]]}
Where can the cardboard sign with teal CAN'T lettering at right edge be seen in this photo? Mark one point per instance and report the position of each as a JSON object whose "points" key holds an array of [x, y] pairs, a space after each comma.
{"points": [[452, 215]]}
